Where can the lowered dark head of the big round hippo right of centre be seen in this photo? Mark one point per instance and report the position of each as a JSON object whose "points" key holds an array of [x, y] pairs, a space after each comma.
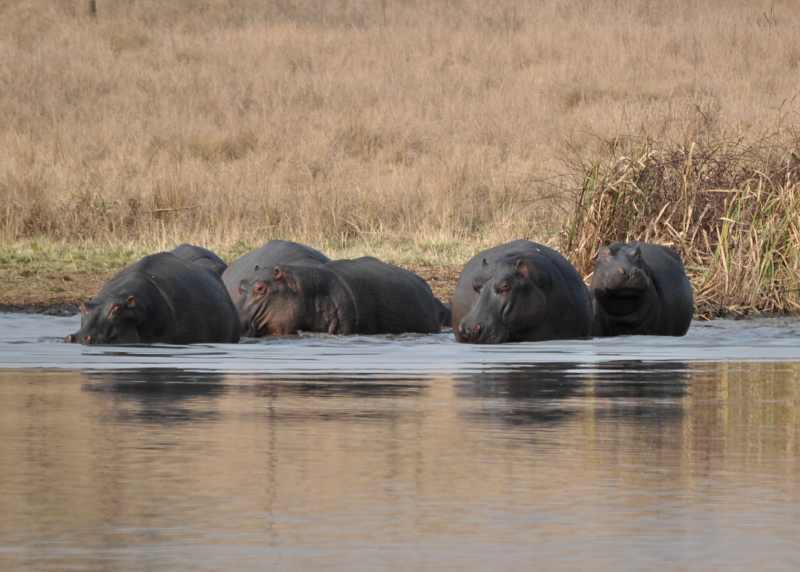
{"points": [[513, 300]]}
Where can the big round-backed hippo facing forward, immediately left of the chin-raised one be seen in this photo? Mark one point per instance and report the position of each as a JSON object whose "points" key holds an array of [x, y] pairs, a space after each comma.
{"points": [[520, 291]]}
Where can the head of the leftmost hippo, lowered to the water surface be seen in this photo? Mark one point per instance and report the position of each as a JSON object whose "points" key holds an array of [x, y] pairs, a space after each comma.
{"points": [[113, 321]]}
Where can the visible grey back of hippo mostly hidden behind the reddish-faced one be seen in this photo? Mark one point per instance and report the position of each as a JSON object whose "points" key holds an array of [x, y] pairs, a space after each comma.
{"points": [[240, 272]]}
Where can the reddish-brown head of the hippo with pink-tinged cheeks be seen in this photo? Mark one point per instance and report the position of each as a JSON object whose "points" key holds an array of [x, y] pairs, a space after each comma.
{"points": [[272, 303]]}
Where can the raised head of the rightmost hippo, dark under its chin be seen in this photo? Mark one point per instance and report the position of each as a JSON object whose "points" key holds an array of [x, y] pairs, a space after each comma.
{"points": [[621, 280]]}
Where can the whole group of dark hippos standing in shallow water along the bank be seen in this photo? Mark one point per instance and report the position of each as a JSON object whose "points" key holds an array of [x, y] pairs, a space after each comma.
{"points": [[518, 291]]}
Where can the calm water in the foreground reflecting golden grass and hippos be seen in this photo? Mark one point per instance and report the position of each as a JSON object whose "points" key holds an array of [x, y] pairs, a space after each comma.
{"points": [[401, 453]]}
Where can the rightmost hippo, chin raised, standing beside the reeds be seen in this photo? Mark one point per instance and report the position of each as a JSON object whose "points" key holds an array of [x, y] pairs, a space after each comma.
{"points": [[640, 288]]}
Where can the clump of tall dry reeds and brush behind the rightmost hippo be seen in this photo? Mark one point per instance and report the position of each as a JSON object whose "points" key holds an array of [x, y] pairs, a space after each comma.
{"points": [[731, 209]]}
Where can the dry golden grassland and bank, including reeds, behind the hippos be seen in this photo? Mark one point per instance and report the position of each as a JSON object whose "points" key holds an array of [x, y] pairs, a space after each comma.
{"points": [[417, 131]]}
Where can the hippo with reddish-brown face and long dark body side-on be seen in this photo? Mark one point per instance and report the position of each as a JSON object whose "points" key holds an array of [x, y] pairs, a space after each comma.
{"points": [[360, 296]]}
